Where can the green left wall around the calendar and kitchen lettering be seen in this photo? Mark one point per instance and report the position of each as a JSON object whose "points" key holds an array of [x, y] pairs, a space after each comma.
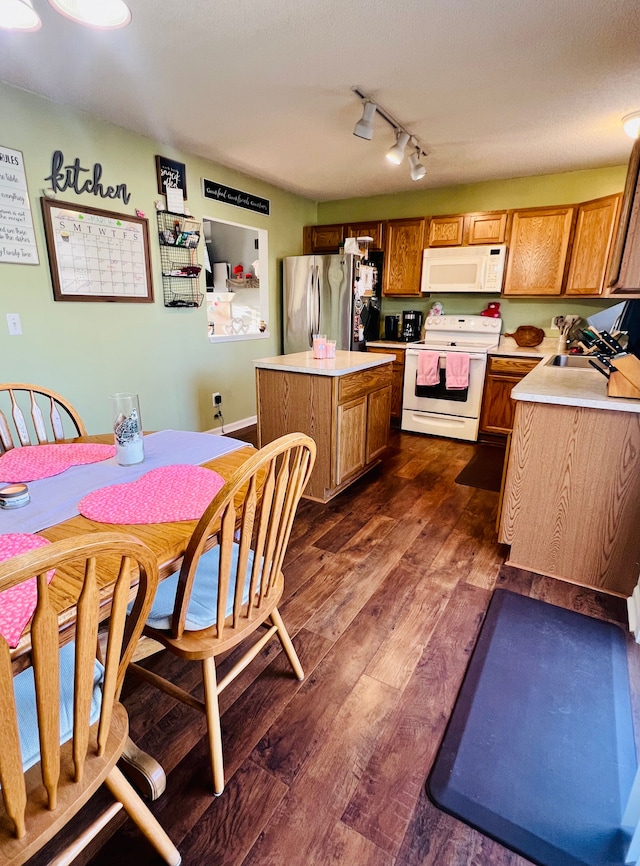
{"points": [[87, 351]]}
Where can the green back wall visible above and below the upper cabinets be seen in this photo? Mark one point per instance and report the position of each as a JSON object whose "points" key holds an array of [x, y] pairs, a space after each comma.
{"points": [[556, 189]]}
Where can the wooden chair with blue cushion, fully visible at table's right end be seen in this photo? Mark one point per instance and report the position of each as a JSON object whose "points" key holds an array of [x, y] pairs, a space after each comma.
{"points": [[221, 597]]}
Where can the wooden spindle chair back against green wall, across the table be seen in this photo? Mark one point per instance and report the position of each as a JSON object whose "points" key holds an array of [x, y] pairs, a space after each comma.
{"points": [[38, 399]]}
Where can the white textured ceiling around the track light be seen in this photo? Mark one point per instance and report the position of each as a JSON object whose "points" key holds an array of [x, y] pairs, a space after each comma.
{"points": [[493, 89]]}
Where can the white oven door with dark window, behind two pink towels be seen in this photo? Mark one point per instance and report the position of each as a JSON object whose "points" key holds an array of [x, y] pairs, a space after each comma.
{"points": [[437, 399]]}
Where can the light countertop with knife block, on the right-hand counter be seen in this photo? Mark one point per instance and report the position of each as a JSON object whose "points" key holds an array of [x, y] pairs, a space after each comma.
{"points": [[570, 386]]}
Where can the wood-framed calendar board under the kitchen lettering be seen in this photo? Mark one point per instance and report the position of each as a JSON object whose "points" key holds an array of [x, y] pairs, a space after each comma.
{"points": [[96, 255]]}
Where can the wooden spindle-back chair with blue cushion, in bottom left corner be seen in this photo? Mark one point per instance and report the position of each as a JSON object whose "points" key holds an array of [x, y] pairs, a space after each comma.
{"points": [[62, 726]]}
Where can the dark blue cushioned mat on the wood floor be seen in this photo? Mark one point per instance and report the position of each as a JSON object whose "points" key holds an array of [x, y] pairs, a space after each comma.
{"points": [[539, 752]]}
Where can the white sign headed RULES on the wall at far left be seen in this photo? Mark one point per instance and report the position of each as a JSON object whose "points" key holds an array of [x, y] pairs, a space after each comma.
{"points": [[17, 238]]}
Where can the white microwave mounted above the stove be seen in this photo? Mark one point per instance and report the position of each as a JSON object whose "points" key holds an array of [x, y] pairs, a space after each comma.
{"points": [[463, 269]]}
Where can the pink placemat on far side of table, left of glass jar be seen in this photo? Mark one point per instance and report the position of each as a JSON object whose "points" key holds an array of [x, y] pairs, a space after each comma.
{"points": [[33, 462]]}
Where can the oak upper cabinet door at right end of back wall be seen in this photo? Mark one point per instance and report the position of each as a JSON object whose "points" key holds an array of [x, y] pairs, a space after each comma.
{"points": [[595, 230]]}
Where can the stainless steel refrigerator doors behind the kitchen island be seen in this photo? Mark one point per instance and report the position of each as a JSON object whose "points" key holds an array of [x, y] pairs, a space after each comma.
{"points": [[317, 299]]}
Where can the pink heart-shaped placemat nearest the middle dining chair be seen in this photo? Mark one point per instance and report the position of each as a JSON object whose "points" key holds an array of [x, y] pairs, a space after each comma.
{"points": [[164, 495]]}
